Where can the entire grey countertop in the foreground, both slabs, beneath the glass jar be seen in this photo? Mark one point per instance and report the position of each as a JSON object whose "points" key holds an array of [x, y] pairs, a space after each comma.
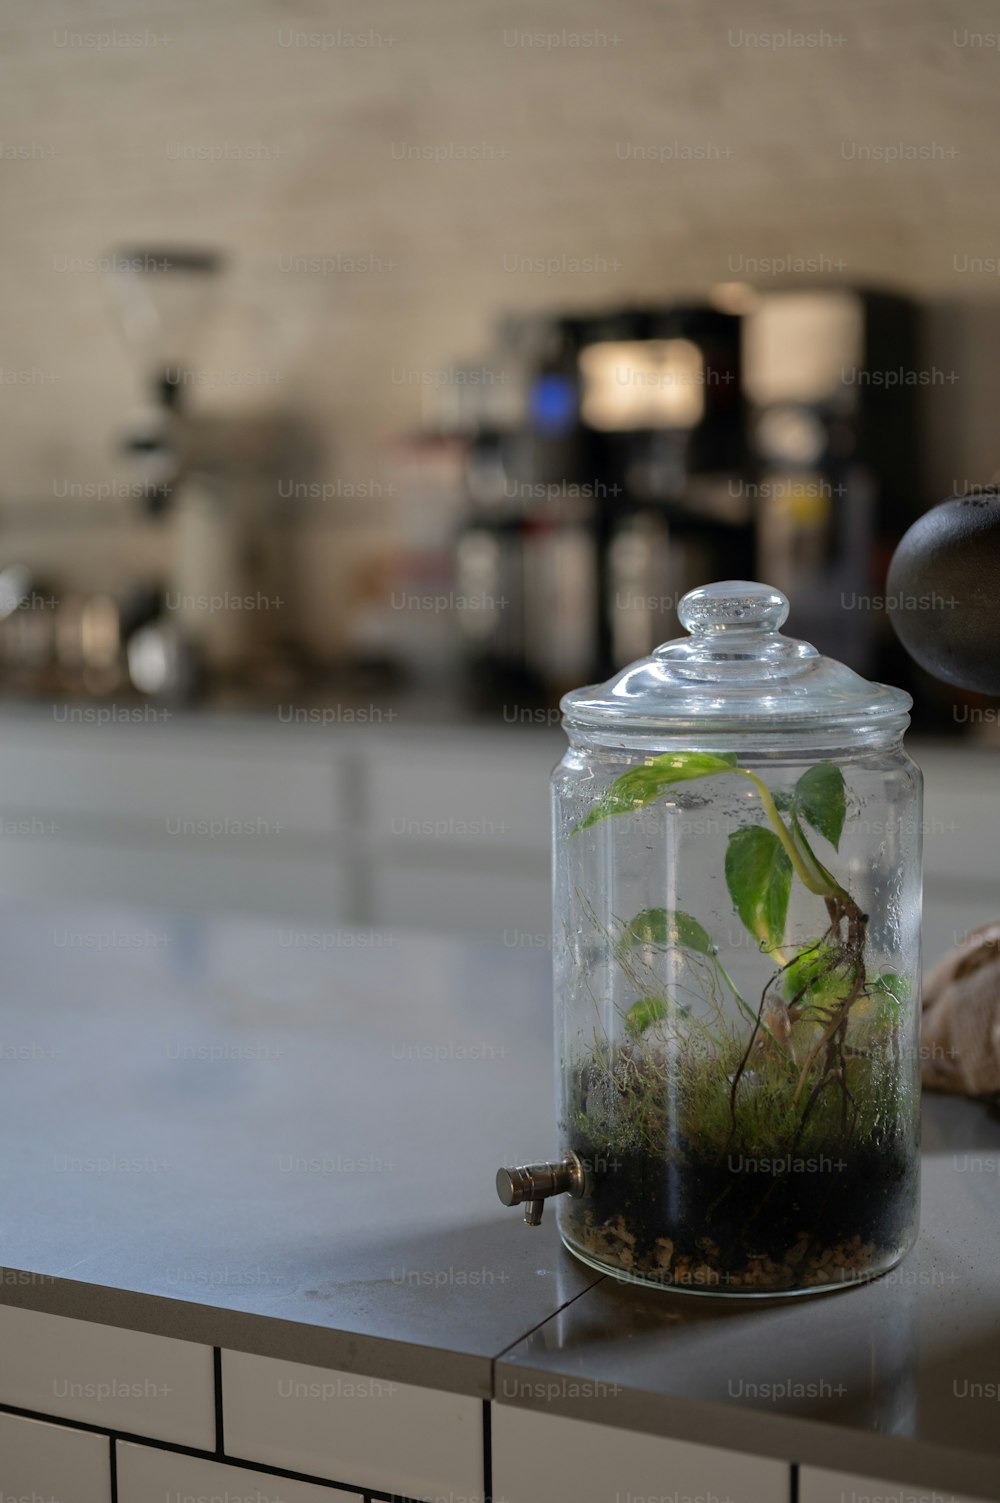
{"points": [[229, 1134]]}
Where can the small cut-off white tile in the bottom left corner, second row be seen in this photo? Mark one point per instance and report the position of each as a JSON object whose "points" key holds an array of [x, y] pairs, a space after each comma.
{"points": [[52, 1463]]}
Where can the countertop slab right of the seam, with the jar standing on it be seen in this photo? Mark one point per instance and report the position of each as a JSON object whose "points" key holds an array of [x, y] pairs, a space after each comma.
{"points": [[898, 1379]]}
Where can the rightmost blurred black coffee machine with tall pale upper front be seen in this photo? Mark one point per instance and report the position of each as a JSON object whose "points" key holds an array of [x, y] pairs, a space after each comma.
{"points": [[832, 383]]}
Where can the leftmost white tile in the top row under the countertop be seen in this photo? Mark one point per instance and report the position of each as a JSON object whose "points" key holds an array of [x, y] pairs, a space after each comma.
{"points": [[109, 1377]]}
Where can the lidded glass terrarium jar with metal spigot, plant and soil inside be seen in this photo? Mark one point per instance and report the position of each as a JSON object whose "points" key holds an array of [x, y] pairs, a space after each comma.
{"points": [[738, 963]]}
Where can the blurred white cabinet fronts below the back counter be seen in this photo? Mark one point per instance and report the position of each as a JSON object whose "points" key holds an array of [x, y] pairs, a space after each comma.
{"points": [[357, 833]]}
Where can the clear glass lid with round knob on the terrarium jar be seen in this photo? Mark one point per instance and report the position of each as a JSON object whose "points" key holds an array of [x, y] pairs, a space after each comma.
{"points": [[736, 673]]}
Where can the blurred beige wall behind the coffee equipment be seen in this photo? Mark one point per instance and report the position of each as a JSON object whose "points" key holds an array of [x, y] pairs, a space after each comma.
{"points": [[392, 180]]}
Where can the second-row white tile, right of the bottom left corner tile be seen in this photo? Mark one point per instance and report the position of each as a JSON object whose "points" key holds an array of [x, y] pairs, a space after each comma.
{"points": [[147, 1475]]}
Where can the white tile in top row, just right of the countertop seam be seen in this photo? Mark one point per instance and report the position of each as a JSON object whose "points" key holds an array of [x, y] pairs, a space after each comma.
{"points": [[575, 1462]]}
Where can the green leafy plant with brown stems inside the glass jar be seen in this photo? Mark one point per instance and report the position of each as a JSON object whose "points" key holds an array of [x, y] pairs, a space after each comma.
{"points": [[819, 984]]}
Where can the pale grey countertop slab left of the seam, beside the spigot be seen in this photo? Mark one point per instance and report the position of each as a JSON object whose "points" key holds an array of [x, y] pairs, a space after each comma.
{"points": [[217, 1133]]}
